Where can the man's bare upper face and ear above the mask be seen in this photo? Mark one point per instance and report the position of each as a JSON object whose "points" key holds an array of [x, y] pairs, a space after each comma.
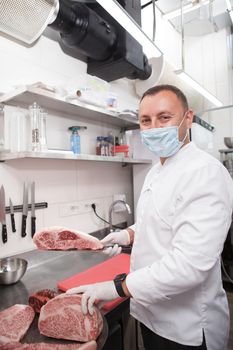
{"points": [[164, 109]]}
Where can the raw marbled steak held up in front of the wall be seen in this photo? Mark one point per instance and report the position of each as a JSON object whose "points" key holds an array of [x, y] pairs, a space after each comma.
{"points": [[61, 238]]}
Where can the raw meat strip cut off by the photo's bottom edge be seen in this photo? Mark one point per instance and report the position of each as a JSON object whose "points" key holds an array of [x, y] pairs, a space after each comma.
{"points": [[91, 345]]}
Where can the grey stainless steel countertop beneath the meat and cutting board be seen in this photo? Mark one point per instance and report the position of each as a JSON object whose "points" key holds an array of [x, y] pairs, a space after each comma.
{"points": [[45, 269]]}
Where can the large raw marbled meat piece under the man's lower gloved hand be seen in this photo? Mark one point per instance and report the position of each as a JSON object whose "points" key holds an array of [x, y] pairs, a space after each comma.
{"points": [[62, 317]]}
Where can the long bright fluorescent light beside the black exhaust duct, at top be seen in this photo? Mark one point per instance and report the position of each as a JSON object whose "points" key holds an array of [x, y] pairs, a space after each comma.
{"points": [[128, 23]]}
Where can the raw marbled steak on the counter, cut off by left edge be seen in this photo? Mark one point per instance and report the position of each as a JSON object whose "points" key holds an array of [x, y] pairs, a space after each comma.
{"points": [[14, 322]]}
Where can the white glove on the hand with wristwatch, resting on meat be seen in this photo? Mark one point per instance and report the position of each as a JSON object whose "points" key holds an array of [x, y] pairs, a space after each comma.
{"points": [[103, 291]]}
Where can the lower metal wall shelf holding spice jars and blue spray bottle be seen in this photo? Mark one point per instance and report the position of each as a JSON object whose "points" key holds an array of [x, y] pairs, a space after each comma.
{"points": [[67, 155]]}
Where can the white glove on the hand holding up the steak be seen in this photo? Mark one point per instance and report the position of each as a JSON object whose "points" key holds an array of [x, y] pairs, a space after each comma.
{"points": [[118, 237]]}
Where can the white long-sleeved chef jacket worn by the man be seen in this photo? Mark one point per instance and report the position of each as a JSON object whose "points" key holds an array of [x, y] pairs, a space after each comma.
{"points": [[183, 216]]}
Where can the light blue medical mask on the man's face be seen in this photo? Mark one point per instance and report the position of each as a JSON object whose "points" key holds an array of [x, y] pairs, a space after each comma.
{"points": [[164, 142]]}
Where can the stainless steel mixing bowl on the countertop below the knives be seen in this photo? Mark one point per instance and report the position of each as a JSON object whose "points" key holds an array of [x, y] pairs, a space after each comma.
{"points": [[12, 270]]}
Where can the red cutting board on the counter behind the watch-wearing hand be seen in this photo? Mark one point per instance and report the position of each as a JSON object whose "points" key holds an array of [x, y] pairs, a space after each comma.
{"points": [[104, 271]]}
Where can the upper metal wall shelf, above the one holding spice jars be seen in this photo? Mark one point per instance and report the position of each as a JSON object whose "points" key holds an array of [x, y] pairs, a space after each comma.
{"points": [[26, 95]]}
